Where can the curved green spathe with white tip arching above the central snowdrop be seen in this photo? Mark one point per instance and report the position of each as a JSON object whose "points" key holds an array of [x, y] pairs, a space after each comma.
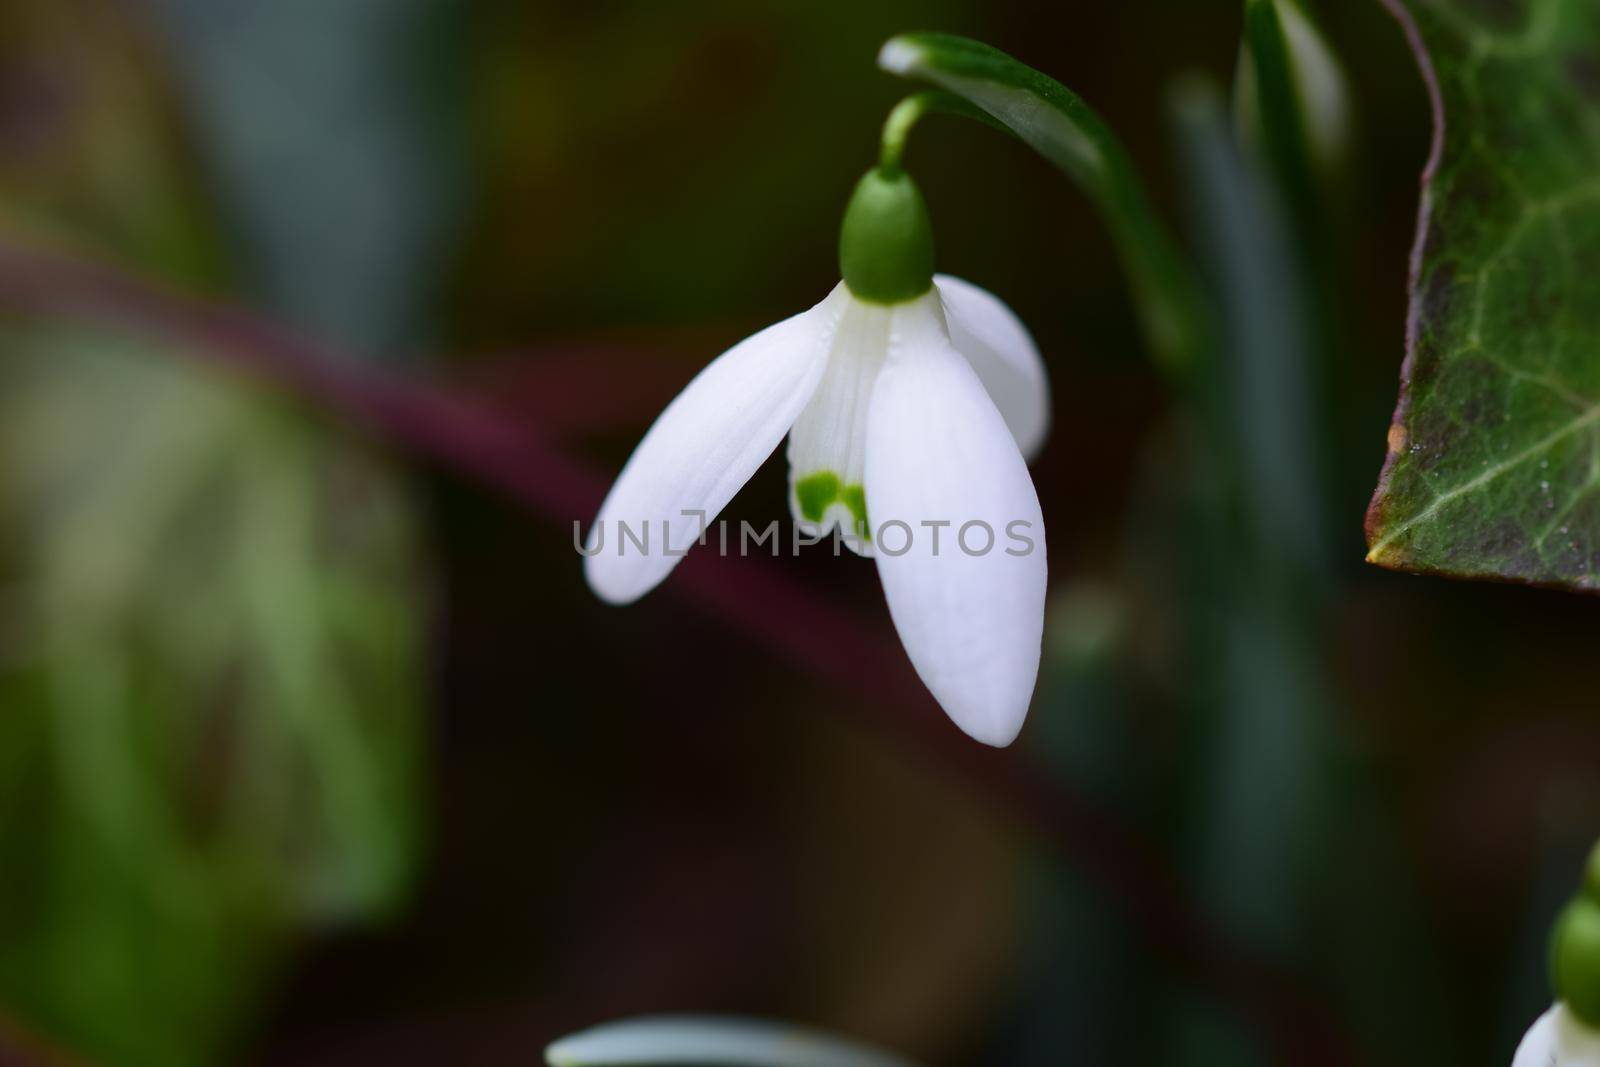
{"points": [[1055, 122]]}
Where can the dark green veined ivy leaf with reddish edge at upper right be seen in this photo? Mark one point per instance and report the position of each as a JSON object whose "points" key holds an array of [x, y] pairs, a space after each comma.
{"points": [[1494, 463]]}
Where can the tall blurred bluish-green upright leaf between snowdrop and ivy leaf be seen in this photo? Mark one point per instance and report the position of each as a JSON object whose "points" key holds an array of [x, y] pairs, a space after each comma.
{"points": [[1263, 692]]}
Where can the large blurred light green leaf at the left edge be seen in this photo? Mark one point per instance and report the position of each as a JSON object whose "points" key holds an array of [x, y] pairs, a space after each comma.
{"points": [[212, 703]]}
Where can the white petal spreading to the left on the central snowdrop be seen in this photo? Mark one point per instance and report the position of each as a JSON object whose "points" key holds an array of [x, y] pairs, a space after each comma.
{"points": [[706, 446]]}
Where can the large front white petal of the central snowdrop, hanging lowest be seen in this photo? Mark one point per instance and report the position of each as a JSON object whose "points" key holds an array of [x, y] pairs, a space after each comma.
{"points": [[970, 613]]}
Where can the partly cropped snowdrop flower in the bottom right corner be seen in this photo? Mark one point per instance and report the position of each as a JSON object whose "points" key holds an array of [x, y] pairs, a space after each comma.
{"points": [[1569, 1034]]}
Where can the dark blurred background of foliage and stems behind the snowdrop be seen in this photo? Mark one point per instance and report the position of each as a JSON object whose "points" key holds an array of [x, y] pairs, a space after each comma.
{"points": [[324, 321]]}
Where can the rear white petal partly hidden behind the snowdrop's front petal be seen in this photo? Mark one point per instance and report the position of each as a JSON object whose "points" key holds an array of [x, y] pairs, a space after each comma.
{"points": [[1006, 358]]}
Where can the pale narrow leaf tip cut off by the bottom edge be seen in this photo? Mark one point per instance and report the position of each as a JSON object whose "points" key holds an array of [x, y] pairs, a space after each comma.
{"points": [[711, 1042]]}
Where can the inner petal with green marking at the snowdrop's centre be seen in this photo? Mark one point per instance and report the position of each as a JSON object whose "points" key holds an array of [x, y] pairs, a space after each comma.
{"points": [[828, 447]]}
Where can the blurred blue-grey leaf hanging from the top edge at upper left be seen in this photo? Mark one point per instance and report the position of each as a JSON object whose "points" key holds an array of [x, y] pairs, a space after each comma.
{"points": [[329, 129]]}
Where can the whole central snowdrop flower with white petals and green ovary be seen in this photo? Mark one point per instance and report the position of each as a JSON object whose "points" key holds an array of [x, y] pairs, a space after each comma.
{"points": [[910, 402]]}
